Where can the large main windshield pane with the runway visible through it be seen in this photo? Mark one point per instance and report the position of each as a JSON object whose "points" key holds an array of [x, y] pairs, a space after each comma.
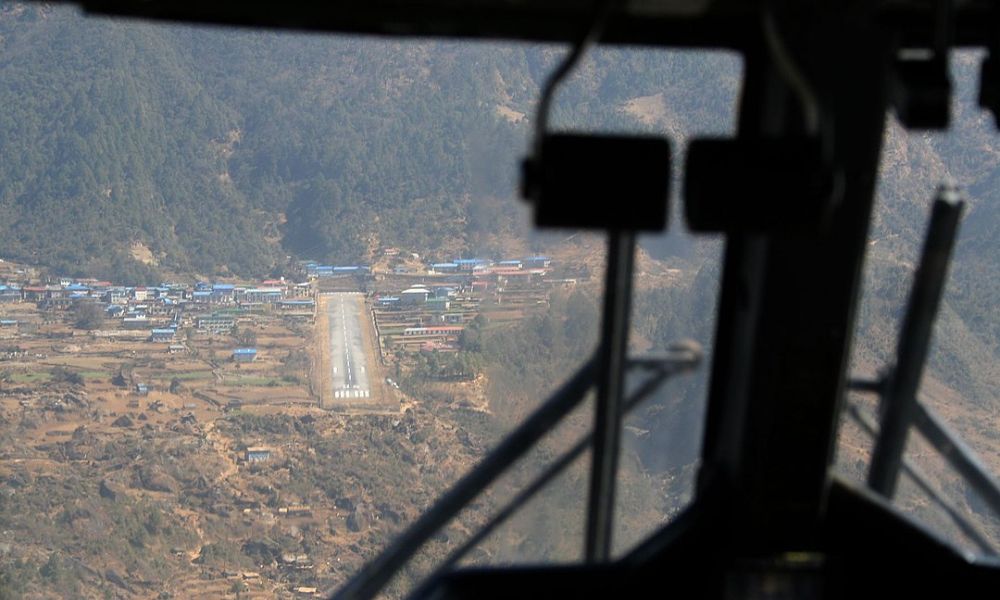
{"points": [[265, 296]]}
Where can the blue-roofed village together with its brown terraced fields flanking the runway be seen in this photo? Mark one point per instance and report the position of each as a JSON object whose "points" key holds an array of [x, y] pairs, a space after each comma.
{"points": [[244, 333]]}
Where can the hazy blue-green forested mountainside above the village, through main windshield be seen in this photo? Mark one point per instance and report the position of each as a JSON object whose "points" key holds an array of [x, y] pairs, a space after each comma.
{"points": [[225, 151]]}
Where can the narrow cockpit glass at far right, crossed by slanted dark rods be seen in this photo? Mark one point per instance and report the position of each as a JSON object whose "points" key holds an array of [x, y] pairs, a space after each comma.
{"points": [[959, 385]]}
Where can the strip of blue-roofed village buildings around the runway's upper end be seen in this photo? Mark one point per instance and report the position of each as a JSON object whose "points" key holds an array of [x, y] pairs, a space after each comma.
{"points": [[412, 309]]}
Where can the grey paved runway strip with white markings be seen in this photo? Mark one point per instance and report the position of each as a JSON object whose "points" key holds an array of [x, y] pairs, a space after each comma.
{"points": [[347, 354]]}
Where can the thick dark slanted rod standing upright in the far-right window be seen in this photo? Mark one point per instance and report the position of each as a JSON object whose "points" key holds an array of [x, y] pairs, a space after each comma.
{"points": [[911, 353]]}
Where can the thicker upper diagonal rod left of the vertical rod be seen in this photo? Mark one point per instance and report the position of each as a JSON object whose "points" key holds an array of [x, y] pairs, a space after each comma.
{"points": [[376, 574]]}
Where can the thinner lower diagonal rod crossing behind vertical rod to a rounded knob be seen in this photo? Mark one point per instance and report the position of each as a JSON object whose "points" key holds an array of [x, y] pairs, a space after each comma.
{"points": [[665, 371]]}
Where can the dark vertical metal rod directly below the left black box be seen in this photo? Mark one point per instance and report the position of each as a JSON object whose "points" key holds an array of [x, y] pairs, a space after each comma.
{"points": [[610, 387]]}
